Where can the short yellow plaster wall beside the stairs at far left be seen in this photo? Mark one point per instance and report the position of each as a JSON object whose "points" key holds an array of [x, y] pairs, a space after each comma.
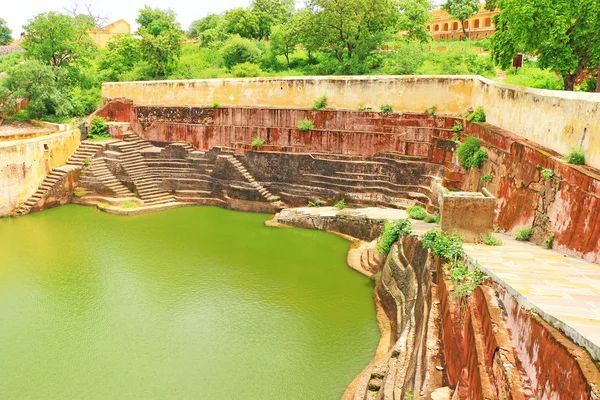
{"points": [[24, 164]]}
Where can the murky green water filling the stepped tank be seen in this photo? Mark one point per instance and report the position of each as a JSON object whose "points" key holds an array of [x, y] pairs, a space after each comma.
{"points": [[192, 303]]}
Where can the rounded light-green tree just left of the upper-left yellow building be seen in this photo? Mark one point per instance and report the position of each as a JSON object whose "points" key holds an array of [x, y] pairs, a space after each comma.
{"points": [[58, 39]]}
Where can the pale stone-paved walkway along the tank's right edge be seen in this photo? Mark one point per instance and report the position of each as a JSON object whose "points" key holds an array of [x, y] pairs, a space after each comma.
{"points": [[563, 290]]}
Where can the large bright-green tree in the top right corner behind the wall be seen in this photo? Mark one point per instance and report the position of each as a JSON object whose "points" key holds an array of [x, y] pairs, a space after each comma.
{"points": [[564, 35]]}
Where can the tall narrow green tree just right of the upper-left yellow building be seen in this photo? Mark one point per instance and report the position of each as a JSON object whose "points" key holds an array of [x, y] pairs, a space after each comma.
{"points": [[161, 38]]}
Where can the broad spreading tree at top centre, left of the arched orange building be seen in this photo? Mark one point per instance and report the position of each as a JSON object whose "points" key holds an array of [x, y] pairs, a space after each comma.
{"points": [[352, 27]]}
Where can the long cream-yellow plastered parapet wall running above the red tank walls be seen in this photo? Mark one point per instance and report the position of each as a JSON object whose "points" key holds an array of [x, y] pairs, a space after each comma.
{"points": [[557, 120]]}
